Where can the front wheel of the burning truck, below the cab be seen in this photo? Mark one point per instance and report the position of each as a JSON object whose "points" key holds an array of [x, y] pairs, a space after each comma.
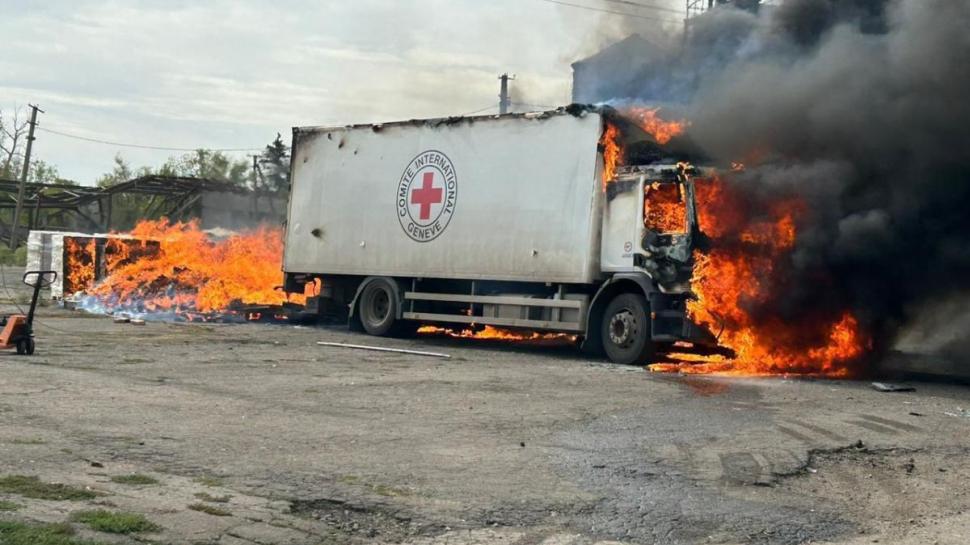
{"points": [[626, 330]]}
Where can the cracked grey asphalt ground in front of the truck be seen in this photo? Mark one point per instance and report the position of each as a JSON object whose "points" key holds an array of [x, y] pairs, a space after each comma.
{"points": [[292, 442]]}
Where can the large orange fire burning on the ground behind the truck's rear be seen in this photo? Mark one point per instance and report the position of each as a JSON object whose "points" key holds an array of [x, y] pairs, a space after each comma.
{"points": [[176, 267]]}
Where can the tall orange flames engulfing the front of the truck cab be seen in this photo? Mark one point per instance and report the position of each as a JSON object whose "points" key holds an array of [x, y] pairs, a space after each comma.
{"points": [[743, 272]]}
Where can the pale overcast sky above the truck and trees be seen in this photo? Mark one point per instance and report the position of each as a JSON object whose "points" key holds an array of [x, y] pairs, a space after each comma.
{"points": [[233, 73]]}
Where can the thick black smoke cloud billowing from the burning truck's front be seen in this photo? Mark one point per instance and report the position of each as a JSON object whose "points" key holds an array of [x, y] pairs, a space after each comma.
{"points": [[859, 108]]}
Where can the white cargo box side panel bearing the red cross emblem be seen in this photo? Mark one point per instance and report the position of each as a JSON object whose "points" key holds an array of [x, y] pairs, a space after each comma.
{"points": [[508, 198]]}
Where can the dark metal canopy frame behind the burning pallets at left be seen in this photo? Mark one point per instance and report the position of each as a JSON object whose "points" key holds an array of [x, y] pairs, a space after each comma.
{"points": [[82, 207]]}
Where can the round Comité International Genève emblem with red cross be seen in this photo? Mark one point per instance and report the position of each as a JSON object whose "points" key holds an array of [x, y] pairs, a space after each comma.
{"points": [[426, 196]]}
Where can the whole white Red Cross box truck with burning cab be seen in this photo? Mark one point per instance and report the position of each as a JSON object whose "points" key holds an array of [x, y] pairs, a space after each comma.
{"points": [[520, 221]]}
